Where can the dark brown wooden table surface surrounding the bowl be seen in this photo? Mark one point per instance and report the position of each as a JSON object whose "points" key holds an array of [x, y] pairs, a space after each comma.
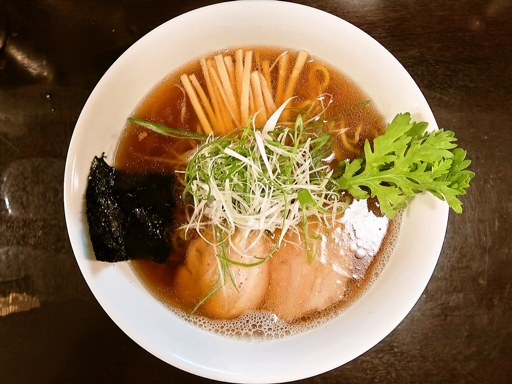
{"points": [[52, 53]]}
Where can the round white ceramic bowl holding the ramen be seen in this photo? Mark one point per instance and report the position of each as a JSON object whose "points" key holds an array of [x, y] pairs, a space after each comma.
{"points": [[117, 288]]}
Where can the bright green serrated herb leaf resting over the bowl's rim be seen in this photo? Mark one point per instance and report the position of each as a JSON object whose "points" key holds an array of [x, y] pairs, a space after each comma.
{"points": [[405, 161]]}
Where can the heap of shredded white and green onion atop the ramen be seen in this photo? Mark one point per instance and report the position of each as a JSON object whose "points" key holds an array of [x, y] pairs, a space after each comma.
{"points": [[262, 180]]}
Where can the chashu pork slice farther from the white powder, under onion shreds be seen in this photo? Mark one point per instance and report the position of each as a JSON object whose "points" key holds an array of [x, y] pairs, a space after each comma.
{"points": [[243, 288]]}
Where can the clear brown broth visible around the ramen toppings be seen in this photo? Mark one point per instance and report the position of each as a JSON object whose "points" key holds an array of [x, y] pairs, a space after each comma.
{"points": [[140, 150]]}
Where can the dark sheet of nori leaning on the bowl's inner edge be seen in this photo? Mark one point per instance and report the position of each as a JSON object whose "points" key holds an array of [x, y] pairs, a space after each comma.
{"points": [[130, 215]]}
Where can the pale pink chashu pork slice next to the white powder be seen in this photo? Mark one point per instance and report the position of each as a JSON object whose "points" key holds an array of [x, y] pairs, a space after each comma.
{"points": [[299, 285]]}
